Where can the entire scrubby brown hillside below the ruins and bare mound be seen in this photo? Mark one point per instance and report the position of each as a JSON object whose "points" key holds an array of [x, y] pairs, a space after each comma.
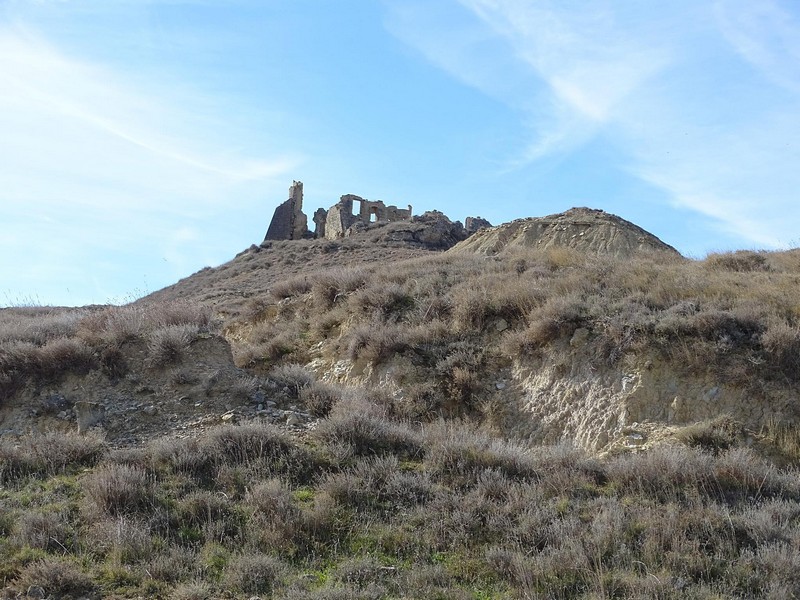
{"points": [[376, 419]]}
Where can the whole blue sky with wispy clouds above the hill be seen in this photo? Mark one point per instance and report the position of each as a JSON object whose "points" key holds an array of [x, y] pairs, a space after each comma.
{"points": [[141, 140]]}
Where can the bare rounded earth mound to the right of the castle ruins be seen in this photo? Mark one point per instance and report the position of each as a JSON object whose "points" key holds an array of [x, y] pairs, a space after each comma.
{"points": [[584, 229]]}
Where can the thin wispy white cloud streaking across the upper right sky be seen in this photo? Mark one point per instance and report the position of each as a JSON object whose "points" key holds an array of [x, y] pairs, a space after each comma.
{"points": [[667, 82]]}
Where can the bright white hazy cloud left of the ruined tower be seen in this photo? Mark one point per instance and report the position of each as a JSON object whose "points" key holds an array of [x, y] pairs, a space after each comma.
{"points": [[96, 163]]}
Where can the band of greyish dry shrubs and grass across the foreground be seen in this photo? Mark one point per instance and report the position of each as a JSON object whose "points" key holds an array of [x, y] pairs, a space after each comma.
{"points": [[449, 511]]}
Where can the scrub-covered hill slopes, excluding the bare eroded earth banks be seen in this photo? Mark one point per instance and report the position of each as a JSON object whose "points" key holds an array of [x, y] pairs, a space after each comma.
{"points": [[372, 506]]}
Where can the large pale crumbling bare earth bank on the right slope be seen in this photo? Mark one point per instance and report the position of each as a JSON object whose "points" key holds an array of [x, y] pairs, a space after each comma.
{"points": [[599, 408]]}
